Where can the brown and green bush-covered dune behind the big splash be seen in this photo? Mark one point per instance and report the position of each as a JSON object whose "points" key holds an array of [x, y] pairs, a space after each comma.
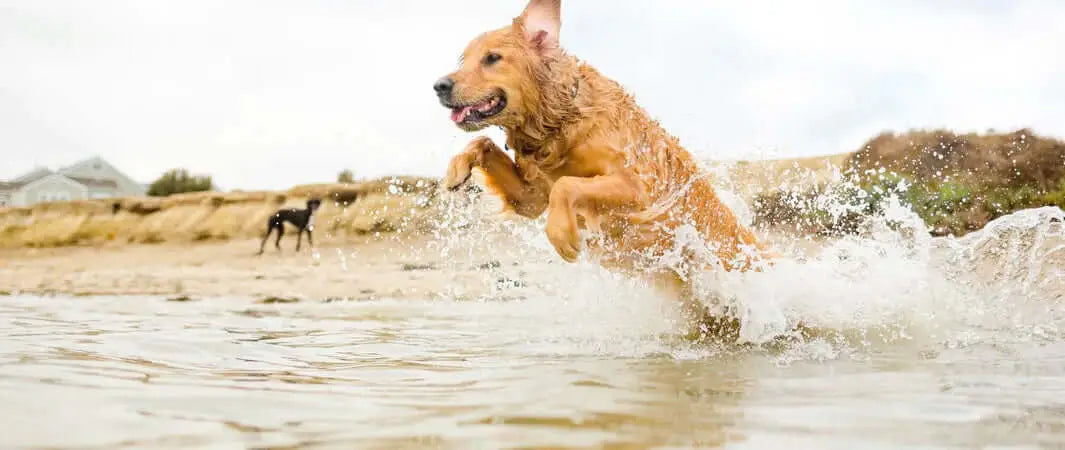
{"points": [[956, 184]]}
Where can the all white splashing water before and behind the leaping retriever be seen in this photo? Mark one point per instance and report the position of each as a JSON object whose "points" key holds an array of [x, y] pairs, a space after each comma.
{"points": [[890, 284]]}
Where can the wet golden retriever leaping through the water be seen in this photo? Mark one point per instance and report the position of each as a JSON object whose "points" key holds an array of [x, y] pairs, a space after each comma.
{"points": [[587, 155]]}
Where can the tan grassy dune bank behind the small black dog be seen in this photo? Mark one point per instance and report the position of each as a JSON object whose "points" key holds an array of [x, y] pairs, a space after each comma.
{"points": [[379, 206]]}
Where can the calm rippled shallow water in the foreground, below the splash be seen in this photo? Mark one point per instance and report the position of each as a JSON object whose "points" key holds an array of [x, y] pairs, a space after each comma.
{"points": [[108, 373]]}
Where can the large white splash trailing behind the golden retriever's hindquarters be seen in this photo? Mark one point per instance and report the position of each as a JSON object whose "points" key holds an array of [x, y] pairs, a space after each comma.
{"points": [[895, 282]]}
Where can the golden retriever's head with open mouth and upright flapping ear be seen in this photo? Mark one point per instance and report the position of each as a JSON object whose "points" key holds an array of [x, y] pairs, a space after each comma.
{"points": [[503, 72]]}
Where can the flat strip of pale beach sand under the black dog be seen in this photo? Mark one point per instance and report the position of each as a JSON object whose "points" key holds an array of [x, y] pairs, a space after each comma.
{"points": [[359, 270]]}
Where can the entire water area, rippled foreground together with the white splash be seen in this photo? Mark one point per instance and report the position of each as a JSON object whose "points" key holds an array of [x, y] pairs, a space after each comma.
{"points": [[916, 343]]}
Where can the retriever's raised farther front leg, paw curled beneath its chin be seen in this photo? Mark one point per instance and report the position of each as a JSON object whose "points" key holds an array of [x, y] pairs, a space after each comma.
{"points": [[502, 176]]}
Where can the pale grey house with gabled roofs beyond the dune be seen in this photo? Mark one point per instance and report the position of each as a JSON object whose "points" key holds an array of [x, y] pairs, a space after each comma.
{"points": [[89, 179]]}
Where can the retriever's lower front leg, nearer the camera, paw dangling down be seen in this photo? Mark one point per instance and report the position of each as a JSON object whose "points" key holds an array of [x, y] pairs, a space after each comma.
{"points": [[589, 198]]}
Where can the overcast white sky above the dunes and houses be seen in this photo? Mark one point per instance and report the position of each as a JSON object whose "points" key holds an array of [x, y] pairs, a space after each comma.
{"points": [[268, 94]]}
